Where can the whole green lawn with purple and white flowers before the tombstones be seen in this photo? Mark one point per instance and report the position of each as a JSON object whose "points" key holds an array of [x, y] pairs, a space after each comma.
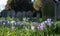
{"points": [[29, 27]]}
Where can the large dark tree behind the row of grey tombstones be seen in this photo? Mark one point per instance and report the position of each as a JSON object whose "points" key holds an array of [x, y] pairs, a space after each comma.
{"points": [[19, 5]]}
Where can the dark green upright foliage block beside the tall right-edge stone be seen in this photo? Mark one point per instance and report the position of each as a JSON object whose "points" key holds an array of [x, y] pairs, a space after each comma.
{"points": [[48, 10]]}
